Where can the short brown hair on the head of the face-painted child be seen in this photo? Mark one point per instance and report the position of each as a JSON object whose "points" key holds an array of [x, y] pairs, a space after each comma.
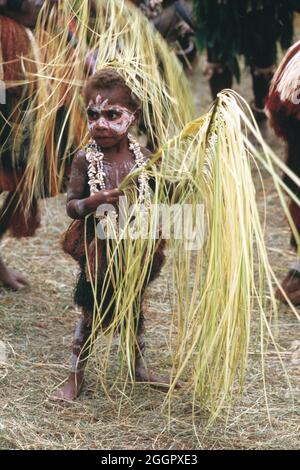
{"points": [[108, 79]]}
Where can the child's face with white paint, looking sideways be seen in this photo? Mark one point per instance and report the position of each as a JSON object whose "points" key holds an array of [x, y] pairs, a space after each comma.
{"points": [[109, 117]]}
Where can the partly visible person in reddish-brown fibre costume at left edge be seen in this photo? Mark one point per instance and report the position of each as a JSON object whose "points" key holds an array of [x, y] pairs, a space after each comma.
{"points": [[16, 43]]}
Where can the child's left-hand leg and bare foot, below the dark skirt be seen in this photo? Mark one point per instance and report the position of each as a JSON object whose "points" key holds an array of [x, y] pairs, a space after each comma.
{"points": [[80, 353]]}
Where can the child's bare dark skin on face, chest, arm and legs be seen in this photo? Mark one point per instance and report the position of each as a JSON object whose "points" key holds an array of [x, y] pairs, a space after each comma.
{"points": [[118, 161]]}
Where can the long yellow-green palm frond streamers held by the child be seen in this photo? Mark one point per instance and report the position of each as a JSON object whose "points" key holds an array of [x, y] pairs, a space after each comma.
{"points": [[218, 283]]}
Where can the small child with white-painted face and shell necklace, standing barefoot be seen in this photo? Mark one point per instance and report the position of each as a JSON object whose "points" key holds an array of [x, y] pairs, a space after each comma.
{"points": [[96, 175]]}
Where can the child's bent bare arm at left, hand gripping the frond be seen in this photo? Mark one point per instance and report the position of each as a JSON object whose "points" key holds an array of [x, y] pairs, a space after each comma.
{"points": [[79, 206]]}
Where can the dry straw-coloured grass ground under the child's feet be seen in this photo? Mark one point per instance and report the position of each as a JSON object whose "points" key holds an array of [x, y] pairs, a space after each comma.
{"points": [[37, 326]]}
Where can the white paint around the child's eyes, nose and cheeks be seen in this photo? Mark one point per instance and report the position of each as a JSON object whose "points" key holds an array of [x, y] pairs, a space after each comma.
{"points": [[108, 121]]}
